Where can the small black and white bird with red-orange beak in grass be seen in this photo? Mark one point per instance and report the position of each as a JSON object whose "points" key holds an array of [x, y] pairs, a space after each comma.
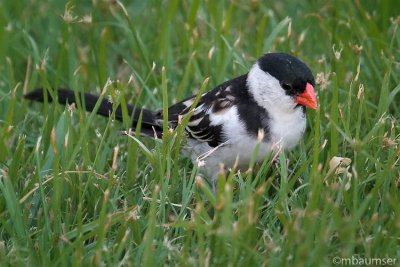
{"points": [[227, 122]]}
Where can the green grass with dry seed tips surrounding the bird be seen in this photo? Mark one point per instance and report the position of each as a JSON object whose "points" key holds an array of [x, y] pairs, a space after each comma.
{"points": [[74, 191]]}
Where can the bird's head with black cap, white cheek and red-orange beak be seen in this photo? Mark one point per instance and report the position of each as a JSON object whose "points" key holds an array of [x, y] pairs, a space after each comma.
{"points": [[282, 81]]}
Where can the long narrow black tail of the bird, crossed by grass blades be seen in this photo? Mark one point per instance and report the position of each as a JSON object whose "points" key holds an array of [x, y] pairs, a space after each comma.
{"points": [[64, 96]]}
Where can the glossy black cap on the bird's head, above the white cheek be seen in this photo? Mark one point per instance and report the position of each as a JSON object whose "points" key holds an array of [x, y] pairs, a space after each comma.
{"points": [[292, 74]]}
